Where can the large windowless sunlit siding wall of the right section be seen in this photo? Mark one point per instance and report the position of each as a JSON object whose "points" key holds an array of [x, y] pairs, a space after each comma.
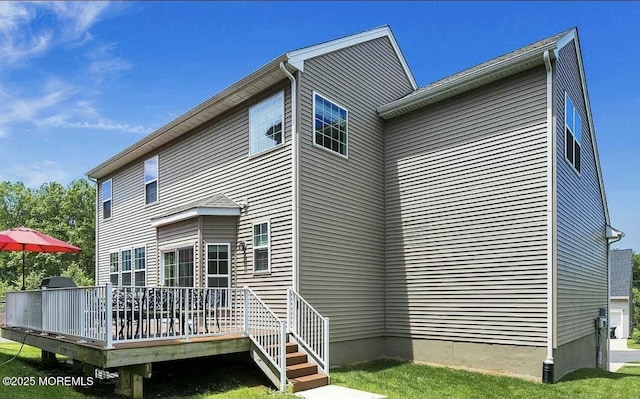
{"points": [[465, 216]]}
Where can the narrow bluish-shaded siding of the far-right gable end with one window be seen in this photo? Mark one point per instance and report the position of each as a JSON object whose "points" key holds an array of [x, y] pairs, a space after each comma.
{"points": [[581, 242]]}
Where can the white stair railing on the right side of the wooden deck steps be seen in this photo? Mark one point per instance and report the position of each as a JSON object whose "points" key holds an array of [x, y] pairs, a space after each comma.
{"points": [[309, 328]]}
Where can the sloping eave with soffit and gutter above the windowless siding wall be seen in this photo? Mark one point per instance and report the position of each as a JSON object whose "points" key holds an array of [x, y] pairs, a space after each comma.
{"points": [[466, 82]]}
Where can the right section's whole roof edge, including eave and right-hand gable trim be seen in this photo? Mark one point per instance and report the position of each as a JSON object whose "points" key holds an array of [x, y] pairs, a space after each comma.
{"points": [[496, 69]]}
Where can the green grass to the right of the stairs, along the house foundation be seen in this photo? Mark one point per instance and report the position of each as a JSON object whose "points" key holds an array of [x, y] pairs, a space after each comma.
{"points": [[405, 380]]}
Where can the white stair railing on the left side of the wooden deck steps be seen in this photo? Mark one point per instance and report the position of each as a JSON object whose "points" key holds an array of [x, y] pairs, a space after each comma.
{"points": [[266, 321]]}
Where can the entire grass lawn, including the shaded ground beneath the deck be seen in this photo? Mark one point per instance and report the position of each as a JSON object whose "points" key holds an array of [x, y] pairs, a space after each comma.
{"points": [[236, 377]]}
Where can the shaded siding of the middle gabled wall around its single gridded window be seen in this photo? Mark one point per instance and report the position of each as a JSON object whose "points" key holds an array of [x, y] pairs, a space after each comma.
{"points": [[342, 200]]}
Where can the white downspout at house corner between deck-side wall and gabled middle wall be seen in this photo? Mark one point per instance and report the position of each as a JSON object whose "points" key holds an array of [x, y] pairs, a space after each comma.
{"points": [[295, 237]]}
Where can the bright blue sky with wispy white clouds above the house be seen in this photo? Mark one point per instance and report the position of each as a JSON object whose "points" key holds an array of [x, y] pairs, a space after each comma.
{"points": [[81, 81]]}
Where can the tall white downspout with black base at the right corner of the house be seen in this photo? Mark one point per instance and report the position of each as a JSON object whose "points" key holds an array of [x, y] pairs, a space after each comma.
{"points": [[547, 365]]}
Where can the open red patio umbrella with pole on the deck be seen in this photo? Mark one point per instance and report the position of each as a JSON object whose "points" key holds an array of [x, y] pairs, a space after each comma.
{"points": [[24, 239]]}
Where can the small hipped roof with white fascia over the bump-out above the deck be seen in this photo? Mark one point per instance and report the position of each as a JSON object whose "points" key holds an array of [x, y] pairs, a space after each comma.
{"points": [[216, 205]]}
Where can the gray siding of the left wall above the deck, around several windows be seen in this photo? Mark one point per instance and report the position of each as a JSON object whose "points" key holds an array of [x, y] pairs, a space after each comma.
{"points": [[213, 159]]}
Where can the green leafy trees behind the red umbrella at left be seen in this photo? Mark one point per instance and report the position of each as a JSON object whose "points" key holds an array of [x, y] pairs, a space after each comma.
{"points": [[65, 213]]}
